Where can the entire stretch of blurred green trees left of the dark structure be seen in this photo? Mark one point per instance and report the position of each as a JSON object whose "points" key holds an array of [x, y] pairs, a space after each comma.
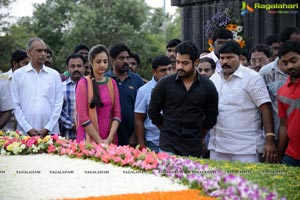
{"points": [[63, 24]]}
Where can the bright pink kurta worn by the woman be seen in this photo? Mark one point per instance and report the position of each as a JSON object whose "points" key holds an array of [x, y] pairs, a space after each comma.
{"points": [[105, 114]]}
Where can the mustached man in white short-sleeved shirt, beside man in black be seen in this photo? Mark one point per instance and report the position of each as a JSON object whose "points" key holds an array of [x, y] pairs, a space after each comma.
{"points": [[243, 99]]}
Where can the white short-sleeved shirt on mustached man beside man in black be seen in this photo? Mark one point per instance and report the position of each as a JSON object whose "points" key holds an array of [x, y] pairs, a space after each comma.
{"points": [[239, 125]]}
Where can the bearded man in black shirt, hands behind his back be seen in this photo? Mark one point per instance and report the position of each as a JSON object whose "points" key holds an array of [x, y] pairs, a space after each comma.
{"points": [[189, 104]]}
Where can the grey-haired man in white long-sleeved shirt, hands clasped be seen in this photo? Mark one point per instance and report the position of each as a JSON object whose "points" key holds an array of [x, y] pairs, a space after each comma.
{"points": [[37, 93]]}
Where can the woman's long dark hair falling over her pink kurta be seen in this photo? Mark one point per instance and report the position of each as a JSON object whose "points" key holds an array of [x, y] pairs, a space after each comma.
{"points": [[96, 101]]}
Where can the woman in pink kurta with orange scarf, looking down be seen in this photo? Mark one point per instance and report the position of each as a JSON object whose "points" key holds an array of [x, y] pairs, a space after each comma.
{"points": [[97, 102]]}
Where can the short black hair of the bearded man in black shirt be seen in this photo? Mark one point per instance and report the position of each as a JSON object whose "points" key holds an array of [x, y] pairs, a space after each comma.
{"points": [[190, 48]]}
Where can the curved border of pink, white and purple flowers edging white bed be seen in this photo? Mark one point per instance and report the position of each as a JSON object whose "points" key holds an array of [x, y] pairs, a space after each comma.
{"points": [[213, 182]]}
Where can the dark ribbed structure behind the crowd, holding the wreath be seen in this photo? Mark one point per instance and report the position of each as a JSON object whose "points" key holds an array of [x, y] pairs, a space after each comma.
{"points": [[257, 25]]}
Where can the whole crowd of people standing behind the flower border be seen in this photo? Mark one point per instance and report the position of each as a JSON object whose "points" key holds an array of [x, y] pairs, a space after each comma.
{"points": [[191, 96]]}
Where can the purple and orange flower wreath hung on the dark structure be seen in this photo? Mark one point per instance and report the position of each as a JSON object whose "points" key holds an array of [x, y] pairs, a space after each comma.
{"points": [[224, 20]]}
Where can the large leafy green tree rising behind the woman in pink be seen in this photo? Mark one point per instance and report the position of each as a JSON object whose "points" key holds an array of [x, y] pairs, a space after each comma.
{"points": [[89, 22]]}
